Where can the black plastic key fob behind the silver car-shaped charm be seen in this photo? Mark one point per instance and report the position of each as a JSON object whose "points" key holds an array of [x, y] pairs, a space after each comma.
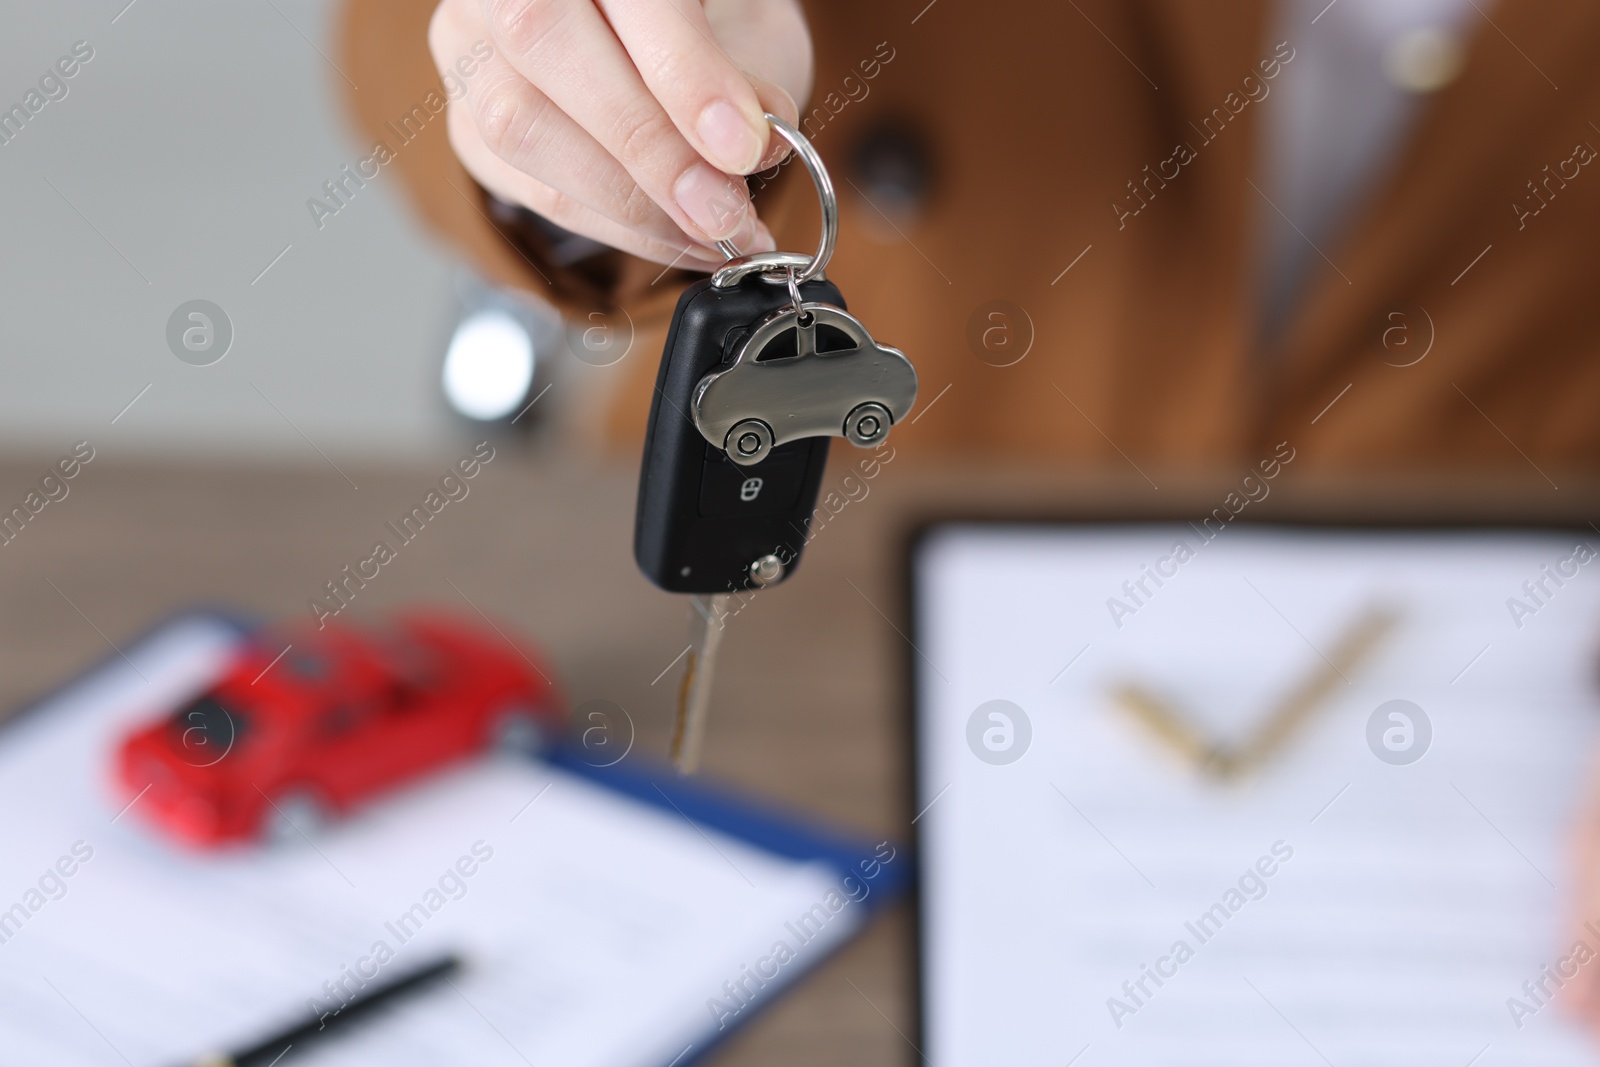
{"points": [[705, 524]]}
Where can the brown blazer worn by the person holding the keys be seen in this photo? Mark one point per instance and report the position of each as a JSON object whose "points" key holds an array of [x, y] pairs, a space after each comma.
{"points": [[1036, 118]]}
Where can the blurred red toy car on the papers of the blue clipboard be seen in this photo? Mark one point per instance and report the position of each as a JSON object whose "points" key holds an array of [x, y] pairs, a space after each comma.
{"points": [[292, 738]]}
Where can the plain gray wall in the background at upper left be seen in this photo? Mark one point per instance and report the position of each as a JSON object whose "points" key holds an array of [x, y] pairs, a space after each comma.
{"points": [[188, 148]]}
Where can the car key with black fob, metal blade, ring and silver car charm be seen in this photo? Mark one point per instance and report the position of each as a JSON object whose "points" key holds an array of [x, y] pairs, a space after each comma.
{"points": [[762, 367]]}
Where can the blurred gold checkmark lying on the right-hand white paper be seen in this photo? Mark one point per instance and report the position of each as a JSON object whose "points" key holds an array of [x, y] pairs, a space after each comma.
{"points": [[1225, 761]]}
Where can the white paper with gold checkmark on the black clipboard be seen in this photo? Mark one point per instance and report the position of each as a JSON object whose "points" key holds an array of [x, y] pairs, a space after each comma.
{"points": [[1337, 908]]}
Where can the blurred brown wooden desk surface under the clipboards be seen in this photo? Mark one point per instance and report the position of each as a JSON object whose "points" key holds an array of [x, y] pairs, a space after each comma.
{"points": [[807, 708]]}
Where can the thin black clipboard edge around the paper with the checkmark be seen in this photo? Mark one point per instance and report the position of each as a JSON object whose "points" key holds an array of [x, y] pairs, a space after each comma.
{"points": [[1481, 518]]}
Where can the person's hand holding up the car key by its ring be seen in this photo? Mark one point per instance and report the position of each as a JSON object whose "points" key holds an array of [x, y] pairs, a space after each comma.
{"points": [[623, 119]]}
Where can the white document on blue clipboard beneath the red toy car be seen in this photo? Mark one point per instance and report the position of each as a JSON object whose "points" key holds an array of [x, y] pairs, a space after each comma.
{"points": [[596, 930]]}
